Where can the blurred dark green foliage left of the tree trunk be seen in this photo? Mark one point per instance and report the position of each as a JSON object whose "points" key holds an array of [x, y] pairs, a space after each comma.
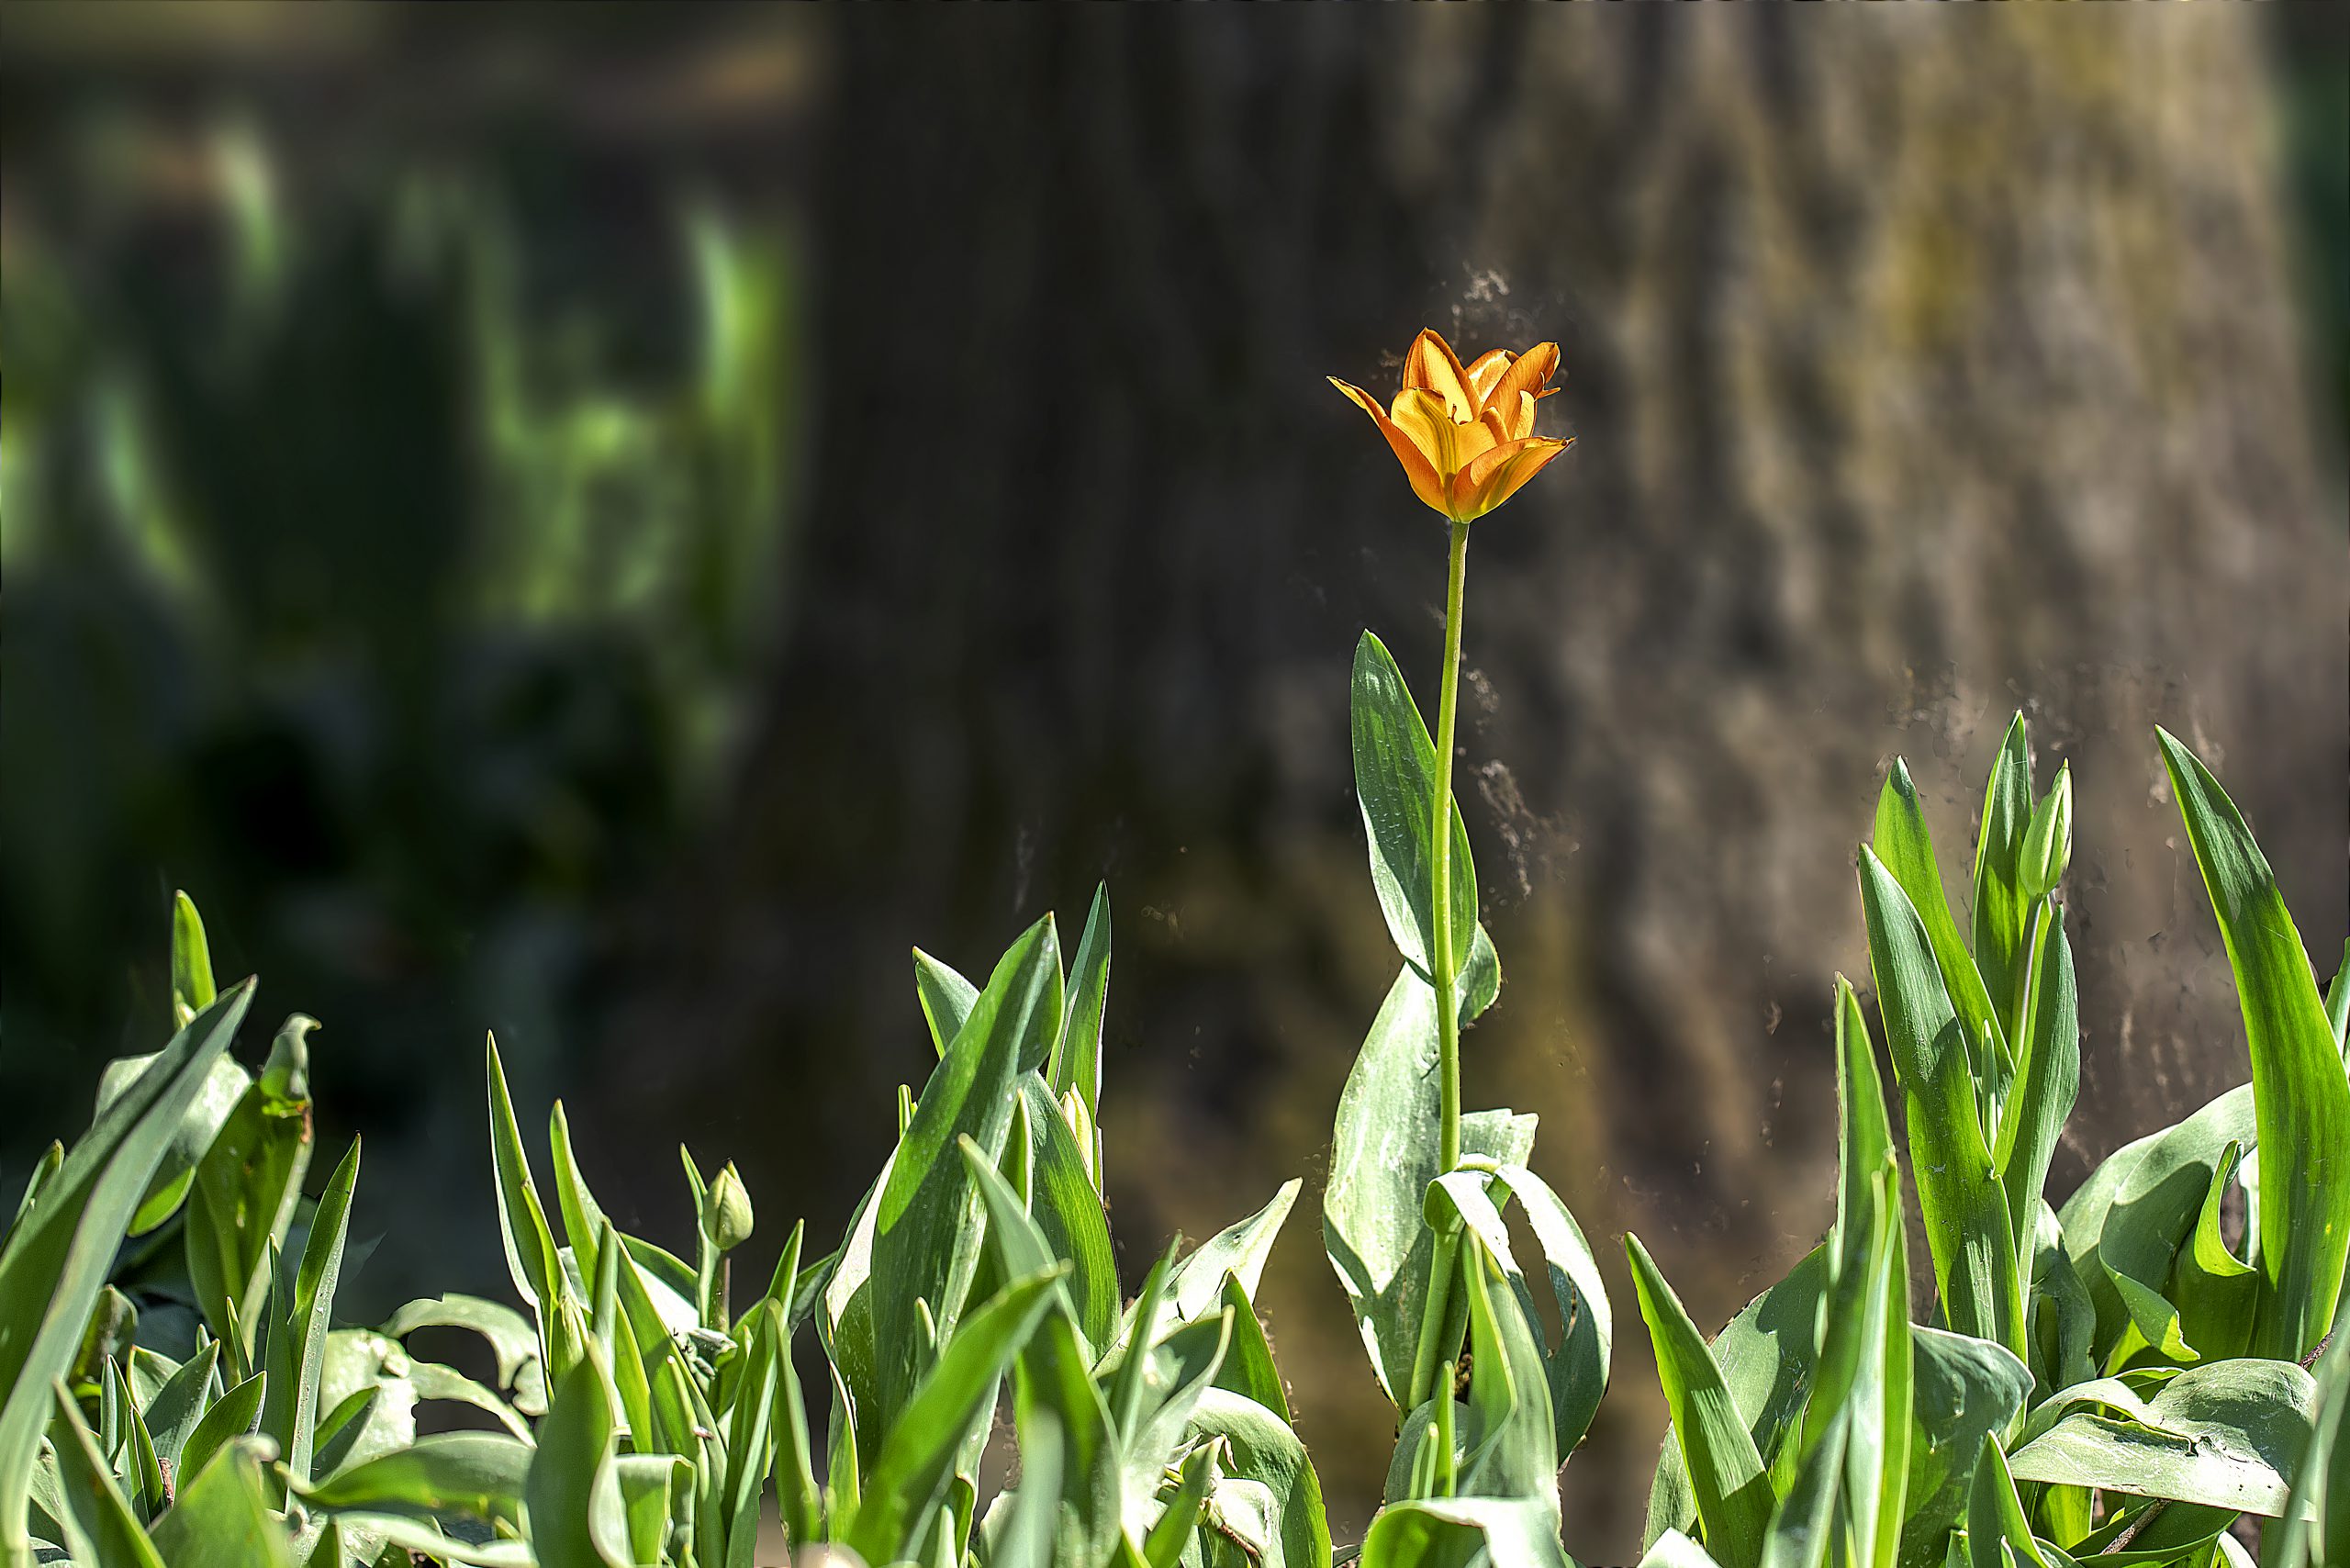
{"points": [[391, 577]]}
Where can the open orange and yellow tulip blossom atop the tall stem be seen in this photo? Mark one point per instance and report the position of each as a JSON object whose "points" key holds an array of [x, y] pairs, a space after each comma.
{"points": [[1465, 436]]}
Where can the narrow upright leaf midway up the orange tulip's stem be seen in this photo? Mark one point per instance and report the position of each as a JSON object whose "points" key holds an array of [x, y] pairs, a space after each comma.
{"points": [[1395, 779]]}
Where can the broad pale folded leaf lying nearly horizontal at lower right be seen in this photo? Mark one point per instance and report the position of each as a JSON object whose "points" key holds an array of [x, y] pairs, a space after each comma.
{"points": [[2224, 1435]]}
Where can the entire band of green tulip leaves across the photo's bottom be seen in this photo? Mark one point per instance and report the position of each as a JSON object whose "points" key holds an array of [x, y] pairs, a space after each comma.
{"points": [[2111, 1381]]}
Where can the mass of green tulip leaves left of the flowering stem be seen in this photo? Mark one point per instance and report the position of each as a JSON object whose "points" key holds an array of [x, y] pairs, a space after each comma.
{"points": [[180, 1398]]}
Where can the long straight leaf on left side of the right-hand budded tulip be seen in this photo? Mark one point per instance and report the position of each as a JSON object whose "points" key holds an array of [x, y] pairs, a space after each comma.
{"points": [[1961, 1198]]}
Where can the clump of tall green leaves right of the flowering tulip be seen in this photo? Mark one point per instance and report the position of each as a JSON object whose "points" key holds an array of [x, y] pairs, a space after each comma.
{"points": [[2114, 1381]]}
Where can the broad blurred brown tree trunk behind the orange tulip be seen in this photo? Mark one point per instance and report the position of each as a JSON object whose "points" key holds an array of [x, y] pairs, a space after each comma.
{"points": [[1923, 368]]}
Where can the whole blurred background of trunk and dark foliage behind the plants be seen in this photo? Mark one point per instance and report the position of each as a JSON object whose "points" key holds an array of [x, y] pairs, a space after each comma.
{"points": [[615, 525]]}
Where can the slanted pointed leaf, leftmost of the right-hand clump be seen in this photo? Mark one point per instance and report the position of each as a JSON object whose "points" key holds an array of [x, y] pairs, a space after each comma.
{"points": [[1726, 1470]]}
